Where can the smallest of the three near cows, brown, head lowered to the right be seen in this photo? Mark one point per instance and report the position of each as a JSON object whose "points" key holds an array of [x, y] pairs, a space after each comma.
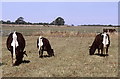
{"points": [[44, 45]]}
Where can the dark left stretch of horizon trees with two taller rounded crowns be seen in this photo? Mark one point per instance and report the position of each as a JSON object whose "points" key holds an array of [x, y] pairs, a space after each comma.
{"points": [[20, 20]]}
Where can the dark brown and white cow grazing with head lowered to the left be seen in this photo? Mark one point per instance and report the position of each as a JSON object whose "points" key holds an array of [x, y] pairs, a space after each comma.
{"points": [[101, 42]]}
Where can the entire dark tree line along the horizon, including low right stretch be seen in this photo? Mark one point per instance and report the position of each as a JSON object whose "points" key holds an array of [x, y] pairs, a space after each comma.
{"points": [[58, 21]]}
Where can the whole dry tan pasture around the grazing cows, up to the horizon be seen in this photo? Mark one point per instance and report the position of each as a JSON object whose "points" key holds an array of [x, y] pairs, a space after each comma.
{"points": [[71, 47]]}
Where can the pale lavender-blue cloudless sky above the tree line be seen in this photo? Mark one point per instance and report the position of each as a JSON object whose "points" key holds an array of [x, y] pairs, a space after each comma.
{"points": [[76, 13]]}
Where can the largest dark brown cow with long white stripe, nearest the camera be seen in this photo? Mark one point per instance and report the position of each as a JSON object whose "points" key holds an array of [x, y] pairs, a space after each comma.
{"points": [[16, 44]]}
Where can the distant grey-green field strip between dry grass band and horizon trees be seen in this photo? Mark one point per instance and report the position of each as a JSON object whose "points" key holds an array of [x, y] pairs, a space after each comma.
{"points": [[29, 30]]}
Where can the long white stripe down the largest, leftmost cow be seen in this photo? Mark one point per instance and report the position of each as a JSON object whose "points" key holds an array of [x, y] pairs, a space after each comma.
{"points": [[14, 44]]}
